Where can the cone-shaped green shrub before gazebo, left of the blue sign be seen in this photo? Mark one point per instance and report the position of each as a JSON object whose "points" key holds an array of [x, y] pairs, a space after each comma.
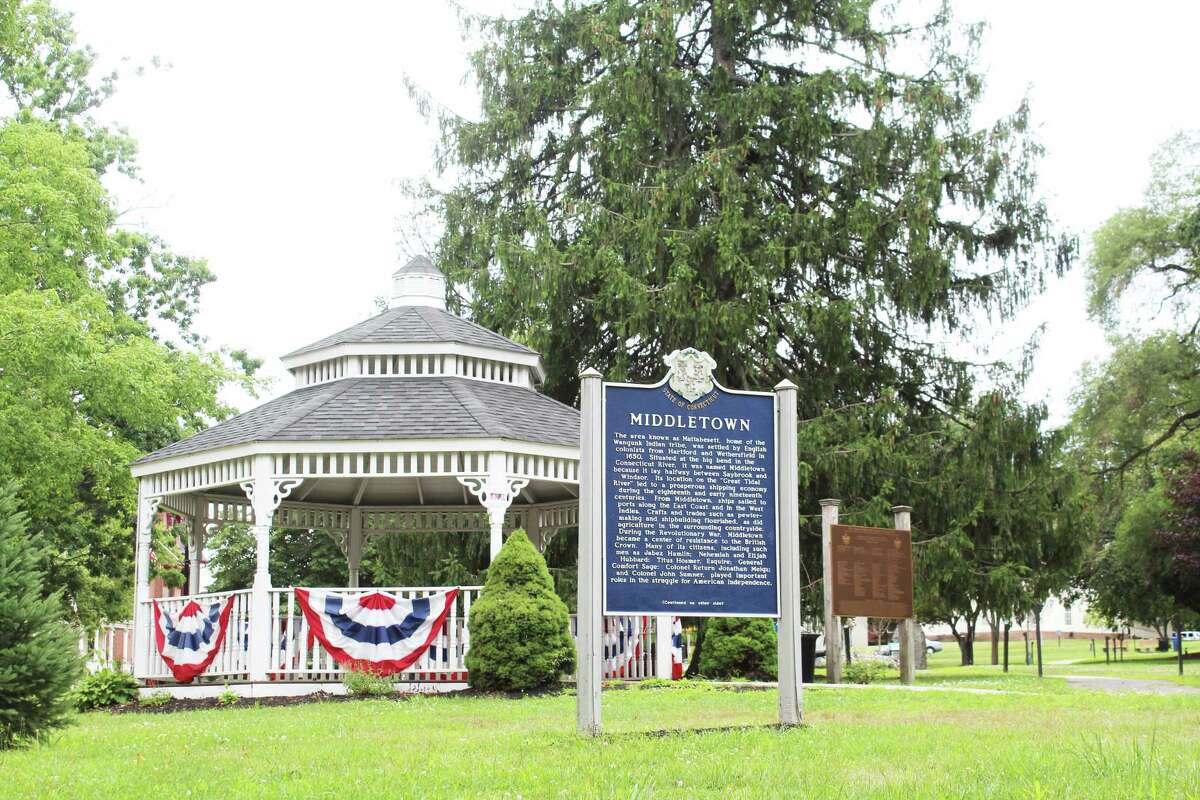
{"points": [[520, 630]]}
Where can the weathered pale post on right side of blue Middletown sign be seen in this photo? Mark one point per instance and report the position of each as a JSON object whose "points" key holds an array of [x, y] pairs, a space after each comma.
{"points": [[791, 701]]}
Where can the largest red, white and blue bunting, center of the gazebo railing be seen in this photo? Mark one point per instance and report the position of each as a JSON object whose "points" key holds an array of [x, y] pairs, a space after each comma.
{"points": [[381, 633]]}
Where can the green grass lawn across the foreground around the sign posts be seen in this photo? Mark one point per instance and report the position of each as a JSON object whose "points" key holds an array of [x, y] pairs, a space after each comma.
{"points": [[869, 743]]}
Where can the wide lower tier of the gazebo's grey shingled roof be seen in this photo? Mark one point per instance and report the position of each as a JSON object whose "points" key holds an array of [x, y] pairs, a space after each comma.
{"points": [[382, 408]]}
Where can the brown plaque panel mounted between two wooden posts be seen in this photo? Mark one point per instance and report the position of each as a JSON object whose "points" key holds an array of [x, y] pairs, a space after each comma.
{"points": [[872, 573]]}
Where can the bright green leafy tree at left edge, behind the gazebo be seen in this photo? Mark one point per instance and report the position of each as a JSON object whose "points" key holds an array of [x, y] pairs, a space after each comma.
{"points": [[99, 362]]}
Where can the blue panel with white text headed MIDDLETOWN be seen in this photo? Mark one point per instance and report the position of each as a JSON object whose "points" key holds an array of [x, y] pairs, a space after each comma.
{"points": [[689, 503]]}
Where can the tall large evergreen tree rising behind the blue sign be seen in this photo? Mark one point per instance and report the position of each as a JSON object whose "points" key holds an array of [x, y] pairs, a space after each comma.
{"points": [[796, 188]]}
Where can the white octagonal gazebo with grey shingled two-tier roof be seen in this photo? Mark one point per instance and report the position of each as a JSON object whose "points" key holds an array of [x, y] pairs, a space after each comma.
{"points": [[415, 422]]}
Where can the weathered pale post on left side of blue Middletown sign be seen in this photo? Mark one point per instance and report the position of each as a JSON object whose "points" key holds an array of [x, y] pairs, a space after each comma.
{"points": [[589, 641]]}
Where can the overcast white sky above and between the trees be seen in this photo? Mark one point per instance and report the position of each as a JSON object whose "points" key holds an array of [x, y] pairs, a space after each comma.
{"points": [[275, 142]]}
